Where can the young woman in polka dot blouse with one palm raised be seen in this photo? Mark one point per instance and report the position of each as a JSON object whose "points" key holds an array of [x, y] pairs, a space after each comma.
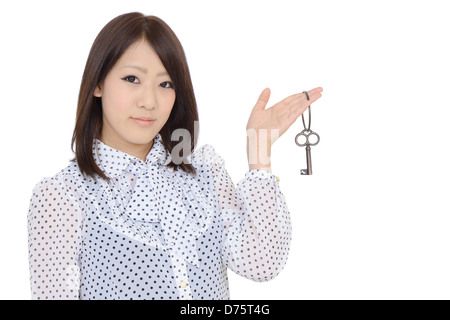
{"points": [[131, 218]]}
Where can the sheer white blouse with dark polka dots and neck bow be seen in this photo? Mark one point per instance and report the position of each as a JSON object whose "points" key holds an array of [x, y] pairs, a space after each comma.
{"points": [[153, 232]]}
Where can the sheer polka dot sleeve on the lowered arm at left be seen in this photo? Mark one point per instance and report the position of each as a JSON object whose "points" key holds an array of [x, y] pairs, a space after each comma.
{"points": [[54, 241]]}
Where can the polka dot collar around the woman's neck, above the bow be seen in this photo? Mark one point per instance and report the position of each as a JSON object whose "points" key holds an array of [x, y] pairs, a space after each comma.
{"points": [[113, 162]]}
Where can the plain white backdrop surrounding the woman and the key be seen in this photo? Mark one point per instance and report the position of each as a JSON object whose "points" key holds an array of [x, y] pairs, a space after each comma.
{"points": [[372, 222]]}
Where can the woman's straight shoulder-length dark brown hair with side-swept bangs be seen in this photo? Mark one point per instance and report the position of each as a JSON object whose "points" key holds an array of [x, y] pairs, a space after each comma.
{"points": [[108, 47]]}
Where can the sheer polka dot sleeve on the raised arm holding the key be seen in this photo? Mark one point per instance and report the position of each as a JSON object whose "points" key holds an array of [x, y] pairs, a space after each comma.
{"points": [[256, 222]]}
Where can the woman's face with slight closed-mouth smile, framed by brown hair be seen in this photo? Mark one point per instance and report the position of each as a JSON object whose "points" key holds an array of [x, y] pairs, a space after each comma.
{"points": [[137, 87]]}
